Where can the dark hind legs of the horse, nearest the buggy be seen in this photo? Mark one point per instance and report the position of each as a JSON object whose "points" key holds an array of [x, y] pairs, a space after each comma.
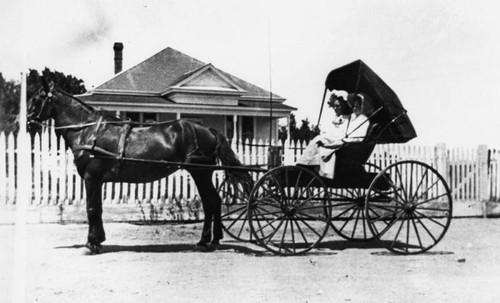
{"points": [[211, 207]]}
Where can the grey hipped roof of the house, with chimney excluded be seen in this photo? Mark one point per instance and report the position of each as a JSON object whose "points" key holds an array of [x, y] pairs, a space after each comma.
{"points": [[169, 68]]}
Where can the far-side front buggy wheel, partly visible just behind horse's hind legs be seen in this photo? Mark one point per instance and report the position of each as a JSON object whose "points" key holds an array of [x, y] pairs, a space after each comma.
{"points": [[234, 210]]}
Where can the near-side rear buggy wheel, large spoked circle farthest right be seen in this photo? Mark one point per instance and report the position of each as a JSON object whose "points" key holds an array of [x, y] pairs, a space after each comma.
{"points": [[409, 207]]}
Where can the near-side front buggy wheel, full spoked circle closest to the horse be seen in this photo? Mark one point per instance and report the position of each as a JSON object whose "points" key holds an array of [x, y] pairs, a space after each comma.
{"points": [[289, 210]]}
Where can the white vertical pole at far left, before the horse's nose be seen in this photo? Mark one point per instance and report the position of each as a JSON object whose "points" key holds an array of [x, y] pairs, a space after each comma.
{"points": [[23, 195]]}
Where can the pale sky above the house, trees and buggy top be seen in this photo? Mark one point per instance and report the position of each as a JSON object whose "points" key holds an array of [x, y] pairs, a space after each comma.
{"points": [[442, 58]]}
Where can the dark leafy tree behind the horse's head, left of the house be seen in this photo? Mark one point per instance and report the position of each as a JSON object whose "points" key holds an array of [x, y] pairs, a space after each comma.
{"points": [[10, 93]]}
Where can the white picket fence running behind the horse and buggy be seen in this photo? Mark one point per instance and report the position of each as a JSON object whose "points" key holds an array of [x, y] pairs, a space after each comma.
{"points": [[472, 173]]}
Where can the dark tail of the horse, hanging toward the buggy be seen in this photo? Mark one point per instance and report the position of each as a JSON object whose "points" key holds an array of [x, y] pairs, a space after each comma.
{"points": [[227, 157]]}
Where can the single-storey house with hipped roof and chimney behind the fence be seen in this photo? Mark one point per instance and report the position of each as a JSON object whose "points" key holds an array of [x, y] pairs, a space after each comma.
{"points": [[172, 85]]}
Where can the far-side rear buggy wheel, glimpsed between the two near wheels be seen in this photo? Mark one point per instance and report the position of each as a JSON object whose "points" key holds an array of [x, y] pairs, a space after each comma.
{"points": [[348, 210]]}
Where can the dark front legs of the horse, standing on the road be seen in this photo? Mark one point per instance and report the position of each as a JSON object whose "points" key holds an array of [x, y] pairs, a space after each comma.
{"points": [[94, 214]]}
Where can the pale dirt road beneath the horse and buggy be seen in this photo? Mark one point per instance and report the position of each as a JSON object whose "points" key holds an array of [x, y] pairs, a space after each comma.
{"points": [[158, 264]]}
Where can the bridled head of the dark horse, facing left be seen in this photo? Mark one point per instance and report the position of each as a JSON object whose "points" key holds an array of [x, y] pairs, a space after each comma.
{"points": [[41, 104]]}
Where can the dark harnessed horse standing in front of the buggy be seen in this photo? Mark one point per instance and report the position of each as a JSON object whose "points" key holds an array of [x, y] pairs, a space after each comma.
{"points": [[103, 147]]}
